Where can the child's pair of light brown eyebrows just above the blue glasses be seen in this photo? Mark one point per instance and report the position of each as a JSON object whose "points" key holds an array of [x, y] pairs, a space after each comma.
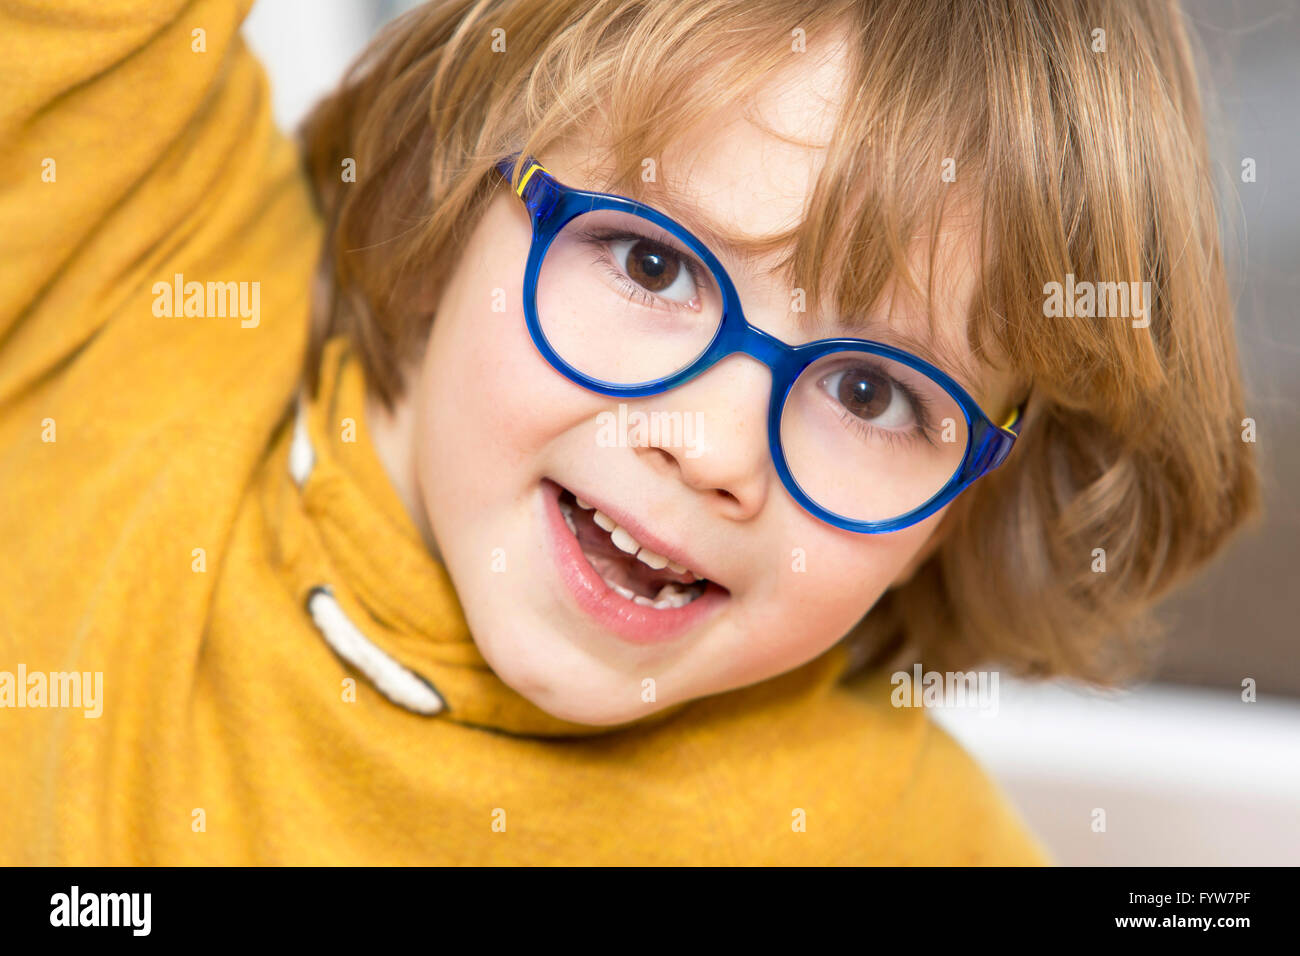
{"points": [[937, 352]]}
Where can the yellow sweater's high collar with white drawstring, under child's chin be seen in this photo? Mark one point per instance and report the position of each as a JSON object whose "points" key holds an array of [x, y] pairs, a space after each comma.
{"points": [[380, 585]]}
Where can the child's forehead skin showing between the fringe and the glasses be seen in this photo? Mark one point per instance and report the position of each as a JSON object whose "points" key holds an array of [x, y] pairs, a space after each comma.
{"points": [[742, 180]]}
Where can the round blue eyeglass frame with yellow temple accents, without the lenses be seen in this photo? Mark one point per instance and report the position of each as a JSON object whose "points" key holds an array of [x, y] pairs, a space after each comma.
{"points": [[552, 206]]}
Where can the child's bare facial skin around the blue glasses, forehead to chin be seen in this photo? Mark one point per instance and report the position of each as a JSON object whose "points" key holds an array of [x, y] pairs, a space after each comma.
{"points": [[497, 438]]}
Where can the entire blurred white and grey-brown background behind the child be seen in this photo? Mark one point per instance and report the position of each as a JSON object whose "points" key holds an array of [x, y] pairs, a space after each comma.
{"points": [[1185, 771]]}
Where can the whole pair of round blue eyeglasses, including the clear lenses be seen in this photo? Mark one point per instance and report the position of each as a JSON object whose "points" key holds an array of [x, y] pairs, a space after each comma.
{"points": [[627, 302]]}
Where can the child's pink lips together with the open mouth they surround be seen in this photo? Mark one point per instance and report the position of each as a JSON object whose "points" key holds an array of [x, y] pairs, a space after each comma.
{"points": [[631, 589]]}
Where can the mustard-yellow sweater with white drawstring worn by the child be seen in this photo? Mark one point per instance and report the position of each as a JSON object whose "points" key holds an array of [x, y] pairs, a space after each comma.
{"points": [[287, 676]]}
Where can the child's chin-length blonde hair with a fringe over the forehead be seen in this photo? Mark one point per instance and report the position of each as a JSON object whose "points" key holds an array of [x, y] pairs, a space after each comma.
{"points": [[1084, 163]]}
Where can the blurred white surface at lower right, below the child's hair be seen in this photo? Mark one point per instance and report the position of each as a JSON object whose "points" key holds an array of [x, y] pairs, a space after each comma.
{"points": [[1186, 777]]}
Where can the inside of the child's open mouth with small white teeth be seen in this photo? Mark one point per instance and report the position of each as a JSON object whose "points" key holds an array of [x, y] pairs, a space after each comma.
{"points": [[630, 569]]}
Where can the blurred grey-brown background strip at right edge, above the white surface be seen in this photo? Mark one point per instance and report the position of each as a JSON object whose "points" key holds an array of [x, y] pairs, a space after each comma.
{"points": [[1241, 618]]}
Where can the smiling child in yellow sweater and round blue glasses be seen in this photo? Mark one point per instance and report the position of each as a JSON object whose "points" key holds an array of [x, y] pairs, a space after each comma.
{"points": [[678, 373]]}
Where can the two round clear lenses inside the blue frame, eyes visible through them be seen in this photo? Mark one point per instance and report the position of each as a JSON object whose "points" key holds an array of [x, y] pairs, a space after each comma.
{"points": [[623, 301]]}
